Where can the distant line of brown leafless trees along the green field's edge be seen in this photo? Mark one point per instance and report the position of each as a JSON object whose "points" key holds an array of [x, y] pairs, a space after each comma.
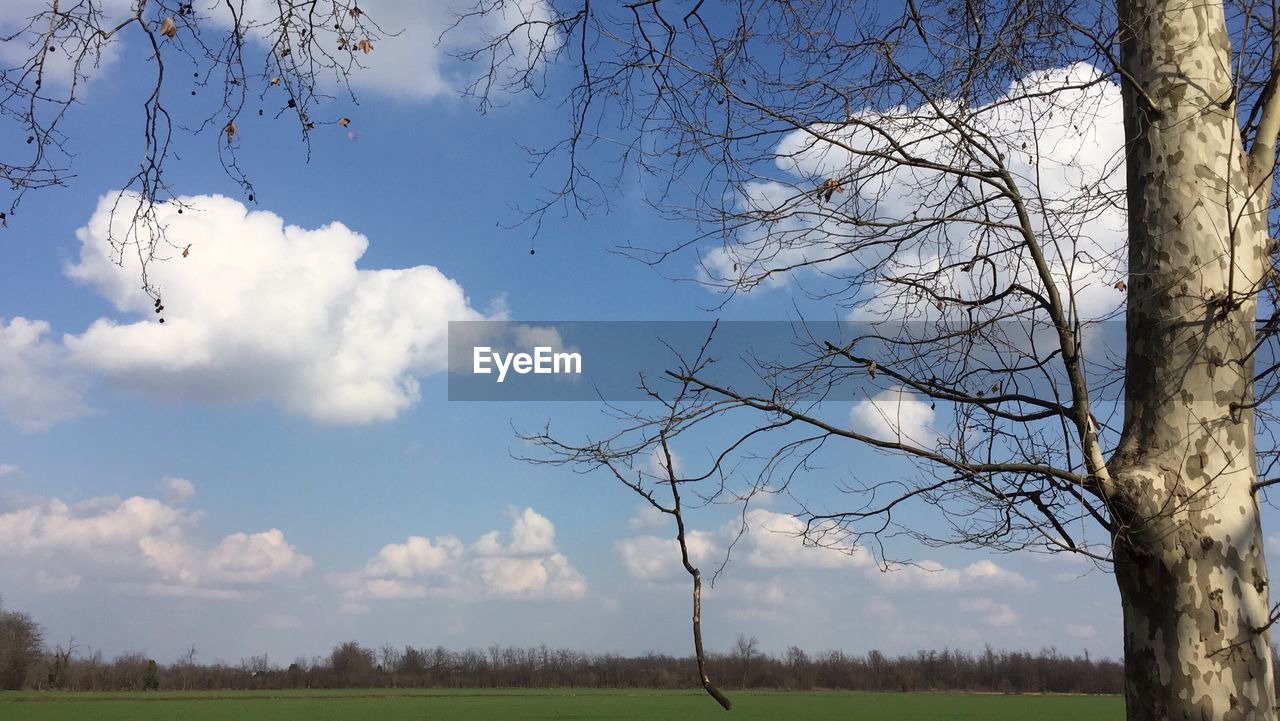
{"points": [[26, 663]]}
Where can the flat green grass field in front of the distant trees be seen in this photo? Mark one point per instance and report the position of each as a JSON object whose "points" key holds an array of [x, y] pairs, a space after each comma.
{"points": [[546, 706]]}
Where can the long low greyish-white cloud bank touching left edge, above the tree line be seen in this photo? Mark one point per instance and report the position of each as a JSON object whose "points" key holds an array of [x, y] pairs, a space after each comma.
{"points": [[140, 542]]}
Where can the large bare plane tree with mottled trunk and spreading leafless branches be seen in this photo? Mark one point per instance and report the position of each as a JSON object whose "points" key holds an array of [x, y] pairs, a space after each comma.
{"points": [[934, 167]]}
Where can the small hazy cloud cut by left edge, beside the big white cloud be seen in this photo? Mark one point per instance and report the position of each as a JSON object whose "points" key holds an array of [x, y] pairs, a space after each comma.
{"points": [[38, 389]]}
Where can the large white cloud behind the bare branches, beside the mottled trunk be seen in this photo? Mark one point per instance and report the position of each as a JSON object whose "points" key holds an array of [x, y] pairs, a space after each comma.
{"points": [[1071, 118]]}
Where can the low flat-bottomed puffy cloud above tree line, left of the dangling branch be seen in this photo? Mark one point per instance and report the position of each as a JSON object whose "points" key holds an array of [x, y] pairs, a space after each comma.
{"points": [[523, 564]]}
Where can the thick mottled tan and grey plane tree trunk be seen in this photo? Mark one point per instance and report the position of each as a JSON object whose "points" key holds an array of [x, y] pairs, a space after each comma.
{"points": [[1188, 541]]}
